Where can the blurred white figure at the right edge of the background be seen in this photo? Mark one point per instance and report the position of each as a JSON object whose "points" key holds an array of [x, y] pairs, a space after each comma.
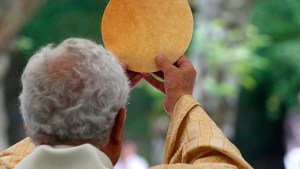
{"points": [[292, 138]]}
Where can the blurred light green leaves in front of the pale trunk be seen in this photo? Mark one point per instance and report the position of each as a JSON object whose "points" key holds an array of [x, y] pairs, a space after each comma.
{"points": [[230, 56]]}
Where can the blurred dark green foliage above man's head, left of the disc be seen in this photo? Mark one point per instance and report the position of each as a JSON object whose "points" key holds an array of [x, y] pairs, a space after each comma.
{"points": [[57, 20]]}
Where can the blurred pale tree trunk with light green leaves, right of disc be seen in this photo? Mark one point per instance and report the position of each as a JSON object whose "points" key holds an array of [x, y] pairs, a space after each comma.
{"points": [[223, 52]]}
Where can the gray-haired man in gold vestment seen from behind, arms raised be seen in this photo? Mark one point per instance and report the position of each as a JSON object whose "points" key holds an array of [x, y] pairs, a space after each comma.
{"points": [[73, 105]]}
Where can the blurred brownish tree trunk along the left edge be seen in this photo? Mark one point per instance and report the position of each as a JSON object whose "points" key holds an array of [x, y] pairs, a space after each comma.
{"points": [[13, 15]]}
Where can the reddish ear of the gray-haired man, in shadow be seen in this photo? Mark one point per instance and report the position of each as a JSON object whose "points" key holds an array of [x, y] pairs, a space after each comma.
{"points": [[117, 132]]}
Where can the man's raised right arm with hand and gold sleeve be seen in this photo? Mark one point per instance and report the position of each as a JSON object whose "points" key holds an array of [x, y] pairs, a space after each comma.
{"points": [[194, 141]]}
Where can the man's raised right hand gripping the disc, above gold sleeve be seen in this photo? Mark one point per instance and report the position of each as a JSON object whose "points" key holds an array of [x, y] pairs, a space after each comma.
{"points": [[179, 80]]}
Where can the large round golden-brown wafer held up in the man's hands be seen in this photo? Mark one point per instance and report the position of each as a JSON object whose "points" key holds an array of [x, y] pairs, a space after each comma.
{"points": [[136, 31]]}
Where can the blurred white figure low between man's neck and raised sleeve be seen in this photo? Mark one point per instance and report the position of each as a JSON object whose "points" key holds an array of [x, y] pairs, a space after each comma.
{"points": [[130, 159]]}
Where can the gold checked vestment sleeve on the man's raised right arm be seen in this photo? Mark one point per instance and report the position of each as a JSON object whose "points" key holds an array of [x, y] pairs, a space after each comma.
{"points": [[194, 141]]}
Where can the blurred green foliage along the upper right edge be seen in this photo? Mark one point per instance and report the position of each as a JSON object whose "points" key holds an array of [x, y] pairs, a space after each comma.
{"points": [[280, 21]]}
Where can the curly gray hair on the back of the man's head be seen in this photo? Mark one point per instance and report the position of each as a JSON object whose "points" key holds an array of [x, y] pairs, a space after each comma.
{"points": [[72, 92]]}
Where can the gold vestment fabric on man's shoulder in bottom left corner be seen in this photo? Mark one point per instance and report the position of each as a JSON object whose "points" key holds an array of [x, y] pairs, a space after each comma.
{"points": [[10, 157]]}
